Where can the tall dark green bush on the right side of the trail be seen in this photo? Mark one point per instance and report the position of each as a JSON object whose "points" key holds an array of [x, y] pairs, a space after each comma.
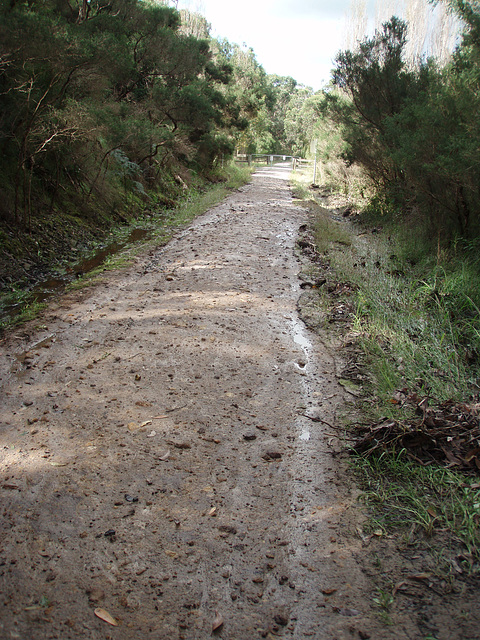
{"points": [[415, 131]]}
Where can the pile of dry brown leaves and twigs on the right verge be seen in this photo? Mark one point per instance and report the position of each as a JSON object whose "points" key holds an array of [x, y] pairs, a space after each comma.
{"points": [[448, 434]]}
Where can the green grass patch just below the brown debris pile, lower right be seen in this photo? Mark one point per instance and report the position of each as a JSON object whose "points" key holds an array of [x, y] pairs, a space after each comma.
{"points": [[435, 502]]}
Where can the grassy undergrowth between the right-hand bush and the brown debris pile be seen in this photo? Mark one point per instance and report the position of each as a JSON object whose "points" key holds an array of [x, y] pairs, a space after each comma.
{"points": [[418, 325]]}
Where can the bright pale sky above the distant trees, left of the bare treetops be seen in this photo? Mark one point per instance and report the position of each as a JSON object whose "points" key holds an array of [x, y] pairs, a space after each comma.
{"points": [[297, 38]]}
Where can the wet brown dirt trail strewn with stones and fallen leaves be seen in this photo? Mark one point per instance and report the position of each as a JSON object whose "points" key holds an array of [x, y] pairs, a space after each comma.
{"points": [[155, 460]]}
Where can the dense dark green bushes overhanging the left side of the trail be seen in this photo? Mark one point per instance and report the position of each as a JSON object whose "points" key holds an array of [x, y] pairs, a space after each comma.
{"points": [[101, 97]]}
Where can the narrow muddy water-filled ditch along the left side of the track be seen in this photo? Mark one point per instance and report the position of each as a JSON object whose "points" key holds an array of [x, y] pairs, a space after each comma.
{"points": [[55, 285]]}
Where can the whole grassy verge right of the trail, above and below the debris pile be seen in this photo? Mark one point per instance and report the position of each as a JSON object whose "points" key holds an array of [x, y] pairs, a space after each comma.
{"points": [[415, 327]]}
